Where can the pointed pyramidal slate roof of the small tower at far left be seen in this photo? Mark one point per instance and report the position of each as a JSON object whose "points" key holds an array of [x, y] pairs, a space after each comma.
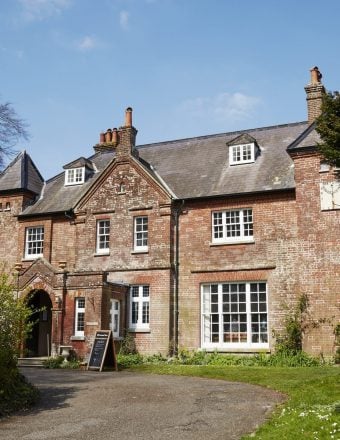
{"points": [[21, 174]]}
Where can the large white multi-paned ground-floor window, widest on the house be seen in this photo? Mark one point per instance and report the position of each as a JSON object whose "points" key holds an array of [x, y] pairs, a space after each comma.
{"points": [[234, 315]]}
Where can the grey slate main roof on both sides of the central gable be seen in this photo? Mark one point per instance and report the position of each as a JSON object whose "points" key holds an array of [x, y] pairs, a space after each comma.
{"points": [[196, 167]]}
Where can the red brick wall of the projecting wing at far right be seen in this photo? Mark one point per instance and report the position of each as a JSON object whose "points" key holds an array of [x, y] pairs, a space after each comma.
{"points": [[318, 252]]}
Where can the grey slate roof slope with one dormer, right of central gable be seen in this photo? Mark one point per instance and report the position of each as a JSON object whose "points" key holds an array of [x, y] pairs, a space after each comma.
{"points": [[199, 167]]}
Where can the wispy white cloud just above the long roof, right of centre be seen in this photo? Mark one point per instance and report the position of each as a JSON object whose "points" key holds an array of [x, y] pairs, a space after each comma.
{"points": [[224, 107]]}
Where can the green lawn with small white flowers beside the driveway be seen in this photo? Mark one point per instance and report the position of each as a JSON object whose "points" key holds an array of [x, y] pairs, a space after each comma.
{"points": [[313, 393]]}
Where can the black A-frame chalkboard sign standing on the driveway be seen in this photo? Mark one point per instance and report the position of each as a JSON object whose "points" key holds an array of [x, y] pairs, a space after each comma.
{"points": [[103, 352]]}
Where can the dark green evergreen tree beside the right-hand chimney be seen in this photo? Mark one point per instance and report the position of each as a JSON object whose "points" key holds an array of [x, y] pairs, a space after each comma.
{"points": [[328, 127]]}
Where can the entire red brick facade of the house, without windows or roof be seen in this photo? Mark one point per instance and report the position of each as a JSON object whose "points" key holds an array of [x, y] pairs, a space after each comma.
{"points": [[296, 250]]}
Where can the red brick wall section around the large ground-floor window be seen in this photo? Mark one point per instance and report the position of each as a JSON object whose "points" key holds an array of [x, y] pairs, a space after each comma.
{"points": [[271, 257]]}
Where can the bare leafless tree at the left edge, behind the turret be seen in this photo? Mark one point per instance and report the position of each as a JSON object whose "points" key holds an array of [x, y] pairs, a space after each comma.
{"points": [[12, 128]]}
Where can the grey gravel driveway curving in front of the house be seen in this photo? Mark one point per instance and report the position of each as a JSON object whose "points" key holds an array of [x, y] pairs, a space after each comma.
{"points": [[88, 405]]}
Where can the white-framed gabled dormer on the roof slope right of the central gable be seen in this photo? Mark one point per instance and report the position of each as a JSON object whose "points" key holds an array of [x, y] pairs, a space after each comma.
{"points": [[243, 149]]}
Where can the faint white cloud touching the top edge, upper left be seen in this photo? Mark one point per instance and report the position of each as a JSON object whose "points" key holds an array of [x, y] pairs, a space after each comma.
{"points": [[41, 9]]}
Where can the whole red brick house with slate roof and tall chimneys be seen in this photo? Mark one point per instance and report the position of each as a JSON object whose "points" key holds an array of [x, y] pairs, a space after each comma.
{"points": [[195, 243]]}
